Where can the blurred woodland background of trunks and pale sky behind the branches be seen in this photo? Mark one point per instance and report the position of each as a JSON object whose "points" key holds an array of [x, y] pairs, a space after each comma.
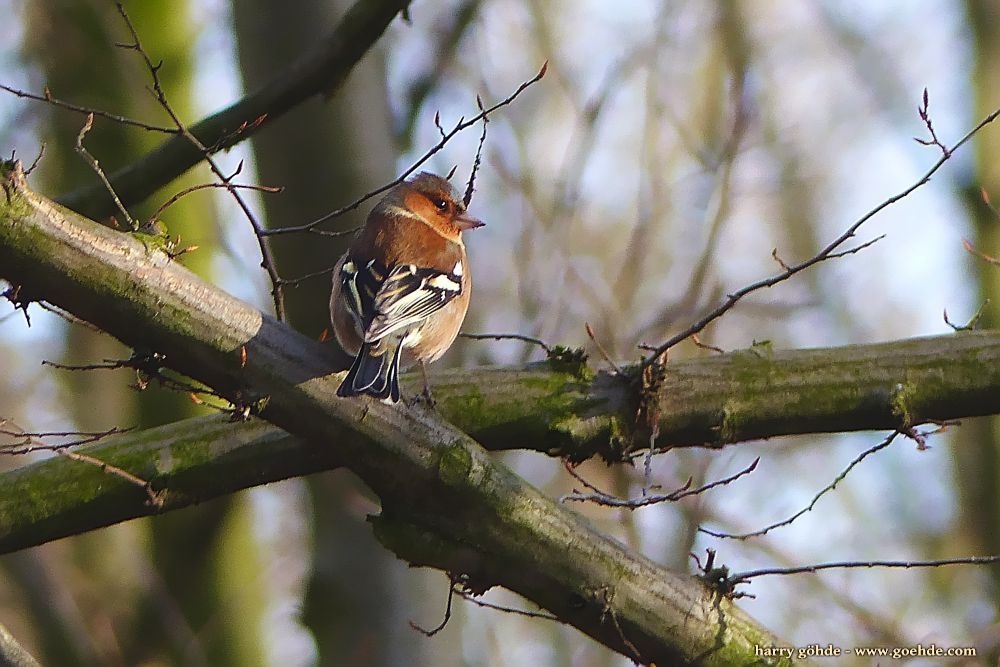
{"points": [[670, 149]]}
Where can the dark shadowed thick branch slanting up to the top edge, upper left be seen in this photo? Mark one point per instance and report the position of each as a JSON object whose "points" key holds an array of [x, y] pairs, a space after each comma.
{"points": [[320, 71]]}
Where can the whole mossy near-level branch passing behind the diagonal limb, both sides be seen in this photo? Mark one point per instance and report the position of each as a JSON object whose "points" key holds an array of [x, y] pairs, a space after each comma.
{"points": [[534, 407]]}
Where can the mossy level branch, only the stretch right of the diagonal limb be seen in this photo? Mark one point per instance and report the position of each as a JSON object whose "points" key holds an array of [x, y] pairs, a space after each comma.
{"points": [[714, 401]]}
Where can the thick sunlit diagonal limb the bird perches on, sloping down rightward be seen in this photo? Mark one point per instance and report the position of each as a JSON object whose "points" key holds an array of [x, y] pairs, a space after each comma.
{"points": [[445, 502]]}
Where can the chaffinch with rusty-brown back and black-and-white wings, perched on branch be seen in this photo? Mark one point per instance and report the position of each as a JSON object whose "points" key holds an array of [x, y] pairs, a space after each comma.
{"points": [[401, 290]]}
